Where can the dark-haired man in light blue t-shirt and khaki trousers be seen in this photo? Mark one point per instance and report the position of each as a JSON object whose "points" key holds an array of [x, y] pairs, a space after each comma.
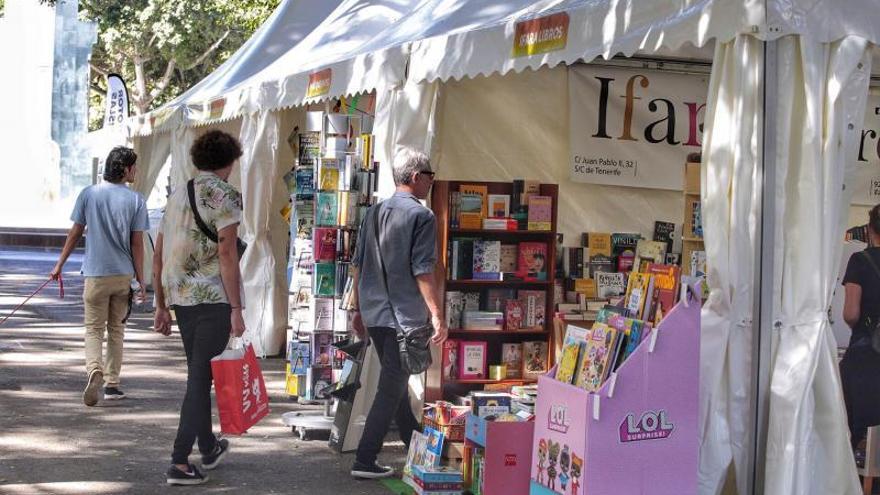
{"points": [[116, 218]]}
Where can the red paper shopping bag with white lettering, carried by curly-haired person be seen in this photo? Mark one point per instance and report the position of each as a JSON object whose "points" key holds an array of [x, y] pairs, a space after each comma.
{"points": [[242, 400]]}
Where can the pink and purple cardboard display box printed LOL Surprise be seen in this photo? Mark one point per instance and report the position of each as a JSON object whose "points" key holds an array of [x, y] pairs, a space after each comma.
{"points": [[638, 433]]}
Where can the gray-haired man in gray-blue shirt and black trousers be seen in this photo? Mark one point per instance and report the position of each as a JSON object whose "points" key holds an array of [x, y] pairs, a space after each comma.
{"points": [[408, 240]]}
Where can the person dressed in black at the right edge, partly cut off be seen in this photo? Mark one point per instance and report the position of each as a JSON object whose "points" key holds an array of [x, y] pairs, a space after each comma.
{"points": [[860, 366]]}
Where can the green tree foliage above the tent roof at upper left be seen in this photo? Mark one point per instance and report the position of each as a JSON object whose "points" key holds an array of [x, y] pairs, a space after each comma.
{"points": [[163, 47]]}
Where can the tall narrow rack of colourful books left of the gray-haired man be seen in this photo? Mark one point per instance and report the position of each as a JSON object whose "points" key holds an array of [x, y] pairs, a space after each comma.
{"points": [[336, 180]]}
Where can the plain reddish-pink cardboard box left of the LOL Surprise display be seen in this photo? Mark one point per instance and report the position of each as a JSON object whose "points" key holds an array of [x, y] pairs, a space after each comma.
{"points": [[508, 451]]}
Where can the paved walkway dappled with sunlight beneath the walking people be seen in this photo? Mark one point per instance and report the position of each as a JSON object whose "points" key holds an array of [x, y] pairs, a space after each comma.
{"points": [[51, 444]]}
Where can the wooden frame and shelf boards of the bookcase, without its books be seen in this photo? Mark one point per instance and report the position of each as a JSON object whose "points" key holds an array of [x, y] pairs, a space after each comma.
{"points": [[437, 388]]}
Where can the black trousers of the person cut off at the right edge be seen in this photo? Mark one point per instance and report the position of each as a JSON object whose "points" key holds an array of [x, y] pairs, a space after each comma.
{"points": [[860, 375]]}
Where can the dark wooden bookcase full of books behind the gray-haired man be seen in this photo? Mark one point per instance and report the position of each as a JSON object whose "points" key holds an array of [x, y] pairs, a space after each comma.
{"points": [[499, 288]]}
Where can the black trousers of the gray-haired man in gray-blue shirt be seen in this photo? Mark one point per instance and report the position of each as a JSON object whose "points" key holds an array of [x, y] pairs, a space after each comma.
{"points": [[391, 400]]}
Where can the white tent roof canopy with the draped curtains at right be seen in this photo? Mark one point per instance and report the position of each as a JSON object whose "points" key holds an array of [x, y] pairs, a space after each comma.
{"points": [[406, 50]]}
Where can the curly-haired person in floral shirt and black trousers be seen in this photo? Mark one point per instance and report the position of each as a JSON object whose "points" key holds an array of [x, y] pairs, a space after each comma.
{"points": [[200, 280]]}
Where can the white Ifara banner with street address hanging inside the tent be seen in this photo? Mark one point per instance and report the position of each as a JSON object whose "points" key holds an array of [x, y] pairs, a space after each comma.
{"points": [[634, 127]]}
